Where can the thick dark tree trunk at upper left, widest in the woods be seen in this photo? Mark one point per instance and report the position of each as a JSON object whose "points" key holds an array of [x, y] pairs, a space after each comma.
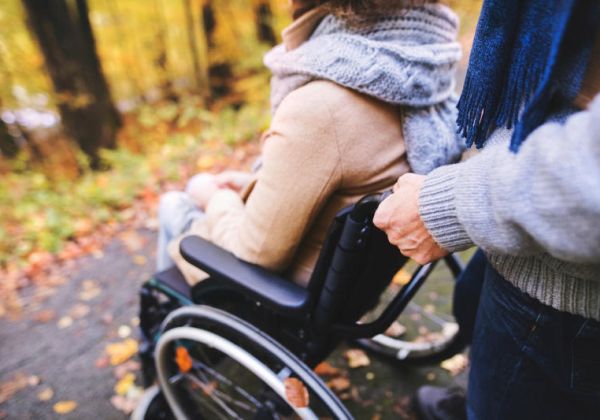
{"points": [[64, 34]]}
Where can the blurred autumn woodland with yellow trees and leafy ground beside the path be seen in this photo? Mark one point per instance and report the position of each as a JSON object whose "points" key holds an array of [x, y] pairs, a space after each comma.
{"points": [[104, 104]]}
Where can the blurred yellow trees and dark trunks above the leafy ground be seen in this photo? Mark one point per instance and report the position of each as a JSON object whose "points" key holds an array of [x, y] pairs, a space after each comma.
{"points": [[76, 66]]}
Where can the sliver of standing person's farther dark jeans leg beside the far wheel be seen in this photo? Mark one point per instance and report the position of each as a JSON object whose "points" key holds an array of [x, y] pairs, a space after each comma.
{"points": [[466, 295]]}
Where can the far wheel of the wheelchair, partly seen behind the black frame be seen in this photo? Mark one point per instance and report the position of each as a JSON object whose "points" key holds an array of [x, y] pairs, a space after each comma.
{"points": [[428, 332]]}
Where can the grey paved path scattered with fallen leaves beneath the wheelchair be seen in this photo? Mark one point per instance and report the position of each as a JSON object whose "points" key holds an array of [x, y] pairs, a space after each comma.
{"points": [[65, 358]]}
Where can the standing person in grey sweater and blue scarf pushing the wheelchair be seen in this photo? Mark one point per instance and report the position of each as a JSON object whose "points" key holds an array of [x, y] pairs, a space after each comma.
{"points": [[531, 201]]}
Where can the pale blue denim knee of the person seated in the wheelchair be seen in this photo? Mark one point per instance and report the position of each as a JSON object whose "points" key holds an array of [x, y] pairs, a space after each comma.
{"points": [[176, 213]]}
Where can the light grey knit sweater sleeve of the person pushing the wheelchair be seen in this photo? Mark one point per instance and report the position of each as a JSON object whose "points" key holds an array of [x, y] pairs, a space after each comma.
{"points": [[544, 199]]}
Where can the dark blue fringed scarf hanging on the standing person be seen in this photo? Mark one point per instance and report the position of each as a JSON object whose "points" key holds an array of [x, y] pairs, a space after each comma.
{"points": [[526, 54]]}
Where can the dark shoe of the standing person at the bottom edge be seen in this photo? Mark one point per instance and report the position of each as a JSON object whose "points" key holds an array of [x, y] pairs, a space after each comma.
{"points": [[437, 403]]}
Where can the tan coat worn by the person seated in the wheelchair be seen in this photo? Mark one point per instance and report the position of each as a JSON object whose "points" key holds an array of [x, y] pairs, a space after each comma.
{"points": [[326, 148]]}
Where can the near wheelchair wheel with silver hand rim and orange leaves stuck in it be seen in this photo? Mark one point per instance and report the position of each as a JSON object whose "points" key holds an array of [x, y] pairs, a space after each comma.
{"points": [[214, 365]]}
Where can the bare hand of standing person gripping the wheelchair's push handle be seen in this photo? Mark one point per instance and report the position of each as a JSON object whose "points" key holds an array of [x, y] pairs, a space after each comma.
{"points": [[398, 216]]}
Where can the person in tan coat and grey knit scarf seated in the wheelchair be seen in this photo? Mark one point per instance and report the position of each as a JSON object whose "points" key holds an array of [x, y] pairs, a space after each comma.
{"points": [[362, 92]]}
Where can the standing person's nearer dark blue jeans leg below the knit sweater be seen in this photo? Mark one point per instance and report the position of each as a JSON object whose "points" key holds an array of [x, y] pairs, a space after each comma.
{"points": [[530, 361]]}
